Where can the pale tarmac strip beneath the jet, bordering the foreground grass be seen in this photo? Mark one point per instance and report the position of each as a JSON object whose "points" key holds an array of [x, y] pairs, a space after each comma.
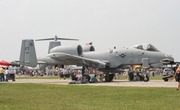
{"points": [[151, 83]]}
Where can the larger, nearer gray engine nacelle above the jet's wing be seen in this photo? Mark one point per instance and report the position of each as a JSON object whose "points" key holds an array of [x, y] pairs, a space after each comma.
{"points": [[73, 49]]}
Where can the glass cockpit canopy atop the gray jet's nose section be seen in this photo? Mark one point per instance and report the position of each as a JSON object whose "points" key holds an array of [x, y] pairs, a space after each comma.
{"points": [[147, 47]]}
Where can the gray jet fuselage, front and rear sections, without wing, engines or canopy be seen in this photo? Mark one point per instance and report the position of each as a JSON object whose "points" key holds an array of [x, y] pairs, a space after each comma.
{"points": [[114, 58]]}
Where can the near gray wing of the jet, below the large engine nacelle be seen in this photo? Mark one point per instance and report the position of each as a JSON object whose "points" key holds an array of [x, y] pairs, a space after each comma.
{"points": [[79, 60]]}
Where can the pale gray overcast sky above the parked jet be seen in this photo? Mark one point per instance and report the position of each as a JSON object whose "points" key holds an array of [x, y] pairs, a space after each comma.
{"points": [[106, 23]]}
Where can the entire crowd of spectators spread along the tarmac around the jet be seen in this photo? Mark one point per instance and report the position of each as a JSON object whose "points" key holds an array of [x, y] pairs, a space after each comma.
{"points": [[89, 75]]}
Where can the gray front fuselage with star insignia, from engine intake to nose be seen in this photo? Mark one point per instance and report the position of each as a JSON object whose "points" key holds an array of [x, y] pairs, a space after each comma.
{"points": [[127, 56]]}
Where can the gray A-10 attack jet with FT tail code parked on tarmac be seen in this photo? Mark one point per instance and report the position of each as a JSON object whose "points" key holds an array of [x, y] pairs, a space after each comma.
{"points": [[106, 61]]}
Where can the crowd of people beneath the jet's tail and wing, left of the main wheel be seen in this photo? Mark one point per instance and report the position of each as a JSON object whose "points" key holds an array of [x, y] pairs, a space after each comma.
{"points": [[63, 73]]}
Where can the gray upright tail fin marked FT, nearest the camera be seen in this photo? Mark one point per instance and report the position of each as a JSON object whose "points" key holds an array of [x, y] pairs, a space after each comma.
{"points": [[28, 53]]}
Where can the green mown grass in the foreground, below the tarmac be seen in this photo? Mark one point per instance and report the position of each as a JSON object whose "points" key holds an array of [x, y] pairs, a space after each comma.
{"points": [[77, 97]]}
